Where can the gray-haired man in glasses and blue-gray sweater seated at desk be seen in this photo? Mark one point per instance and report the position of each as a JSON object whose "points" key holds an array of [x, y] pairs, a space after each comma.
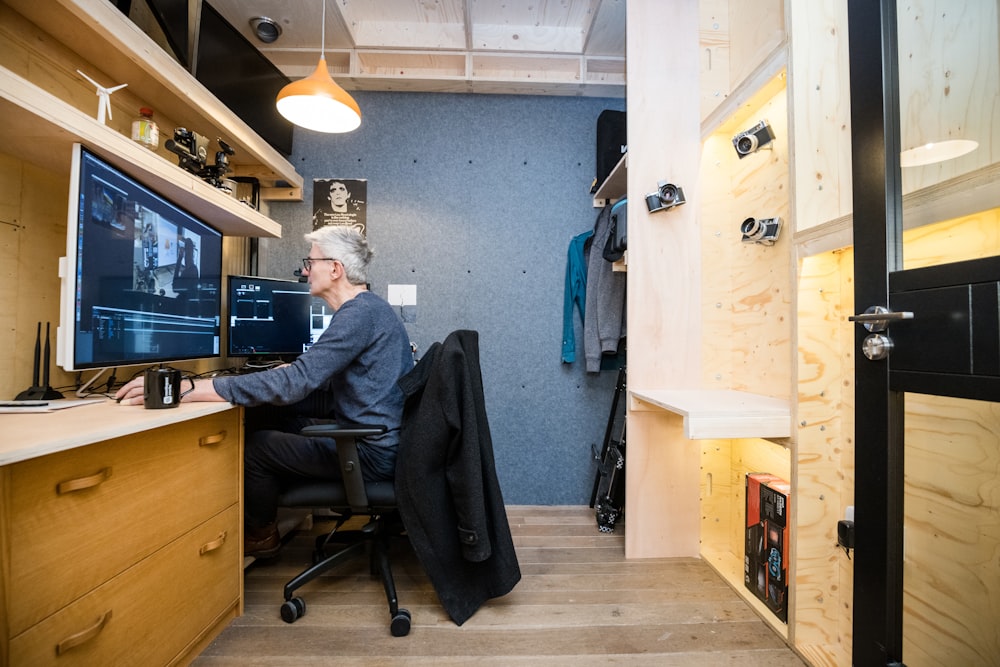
{"points": [[349, 374]]}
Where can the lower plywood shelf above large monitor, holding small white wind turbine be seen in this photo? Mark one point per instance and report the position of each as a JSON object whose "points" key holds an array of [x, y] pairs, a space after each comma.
{"points": [[41, 129]]}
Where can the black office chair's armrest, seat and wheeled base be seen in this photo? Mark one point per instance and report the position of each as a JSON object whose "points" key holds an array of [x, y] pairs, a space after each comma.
{"points": [[349, 498]]}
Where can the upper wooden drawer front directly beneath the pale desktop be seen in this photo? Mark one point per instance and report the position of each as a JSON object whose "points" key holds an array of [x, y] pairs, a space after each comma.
{"points": [[79, 517]]}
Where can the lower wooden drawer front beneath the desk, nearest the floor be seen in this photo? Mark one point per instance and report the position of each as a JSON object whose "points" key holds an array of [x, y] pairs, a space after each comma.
{"points": [[150, 614]]}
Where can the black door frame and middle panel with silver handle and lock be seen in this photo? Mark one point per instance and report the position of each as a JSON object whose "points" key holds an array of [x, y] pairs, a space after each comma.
{"points": [[931, 330]]}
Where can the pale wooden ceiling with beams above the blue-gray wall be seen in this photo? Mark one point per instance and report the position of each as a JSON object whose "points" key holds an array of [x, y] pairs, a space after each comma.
{"points": [[539, 47]]}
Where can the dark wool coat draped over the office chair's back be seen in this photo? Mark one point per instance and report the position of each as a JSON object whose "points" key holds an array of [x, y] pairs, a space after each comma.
{"points": [[446, 483]]}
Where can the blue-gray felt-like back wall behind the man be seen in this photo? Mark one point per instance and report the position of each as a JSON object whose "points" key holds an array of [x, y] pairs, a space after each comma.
{"points": [[474, 199]]}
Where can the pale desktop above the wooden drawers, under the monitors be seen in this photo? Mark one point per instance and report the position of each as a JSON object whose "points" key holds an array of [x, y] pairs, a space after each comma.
{"points": [[26, 436]]}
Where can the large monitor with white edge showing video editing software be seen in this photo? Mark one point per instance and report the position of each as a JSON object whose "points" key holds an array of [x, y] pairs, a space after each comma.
{"points": [[142, 276]]}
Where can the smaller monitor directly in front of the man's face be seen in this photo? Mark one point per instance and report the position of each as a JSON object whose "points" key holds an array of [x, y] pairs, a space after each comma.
{"points": [[269, 317]]}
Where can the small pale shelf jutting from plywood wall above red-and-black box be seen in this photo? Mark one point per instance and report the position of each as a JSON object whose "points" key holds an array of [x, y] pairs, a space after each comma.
{"points": [[711, 413]]}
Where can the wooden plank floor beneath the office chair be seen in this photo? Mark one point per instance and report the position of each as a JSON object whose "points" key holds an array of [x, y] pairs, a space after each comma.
{"points": [[579, 602]]}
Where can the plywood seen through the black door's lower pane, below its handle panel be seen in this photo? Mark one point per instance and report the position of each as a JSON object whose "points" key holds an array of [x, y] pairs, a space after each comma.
{"points": [[951, 571]]}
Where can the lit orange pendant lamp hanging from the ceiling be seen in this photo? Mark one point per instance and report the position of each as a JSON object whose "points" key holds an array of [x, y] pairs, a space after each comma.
{"points": [[317, 102]]}
